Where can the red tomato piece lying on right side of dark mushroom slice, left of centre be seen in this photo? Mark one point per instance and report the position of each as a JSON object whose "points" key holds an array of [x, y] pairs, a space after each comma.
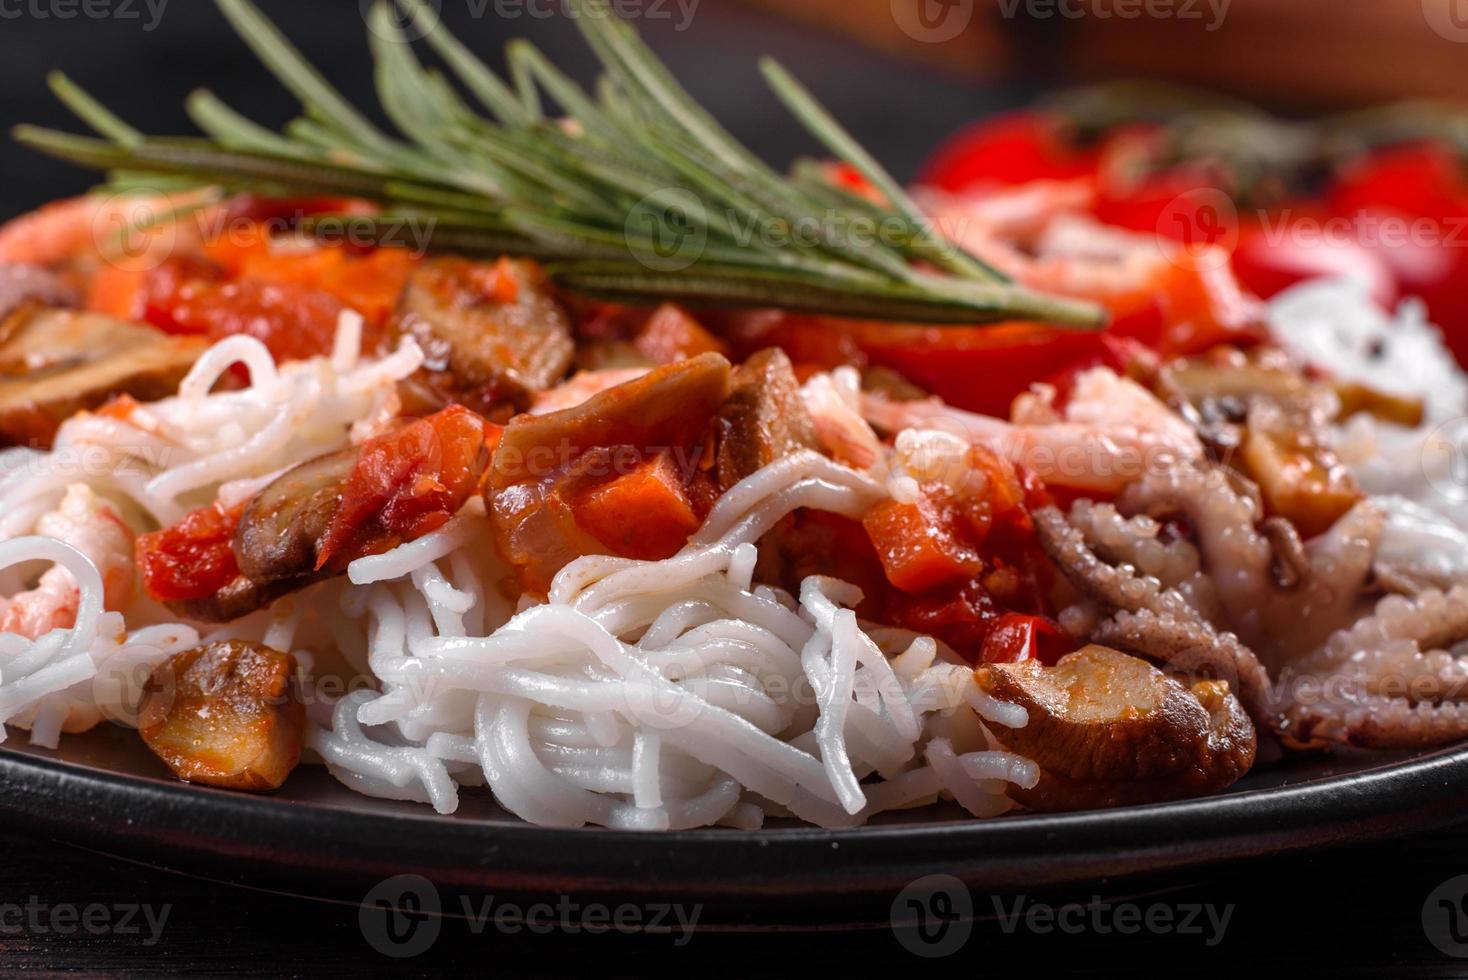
{"points": [[409, 483]]}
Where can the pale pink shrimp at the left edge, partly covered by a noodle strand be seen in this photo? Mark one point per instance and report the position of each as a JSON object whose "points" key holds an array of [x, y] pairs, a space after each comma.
{"points": [[95, 529]]}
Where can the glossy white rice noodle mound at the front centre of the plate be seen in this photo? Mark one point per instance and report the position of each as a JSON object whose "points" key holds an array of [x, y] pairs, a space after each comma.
{"points": [[654, 695]]}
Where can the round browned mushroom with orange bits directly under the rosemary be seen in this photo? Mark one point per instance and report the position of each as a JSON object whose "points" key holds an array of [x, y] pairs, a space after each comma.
{"points": [[491, 332]]}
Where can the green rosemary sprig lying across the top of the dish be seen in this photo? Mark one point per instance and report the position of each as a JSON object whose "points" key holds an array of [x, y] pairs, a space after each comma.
{"points": [[638, 194]]}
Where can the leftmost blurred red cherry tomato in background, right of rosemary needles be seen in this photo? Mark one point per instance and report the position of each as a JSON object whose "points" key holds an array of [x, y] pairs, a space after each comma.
{"points": [[1009, 150]]}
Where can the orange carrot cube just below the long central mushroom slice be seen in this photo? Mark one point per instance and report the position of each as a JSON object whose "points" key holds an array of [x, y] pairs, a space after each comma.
{"points": [[644, 514]]}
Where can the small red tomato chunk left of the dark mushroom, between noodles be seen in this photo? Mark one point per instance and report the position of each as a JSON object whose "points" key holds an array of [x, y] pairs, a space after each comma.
{"points": [[193, 560]]}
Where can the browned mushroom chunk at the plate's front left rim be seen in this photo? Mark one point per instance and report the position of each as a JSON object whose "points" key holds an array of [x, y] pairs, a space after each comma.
{"points": [[227, 715]]}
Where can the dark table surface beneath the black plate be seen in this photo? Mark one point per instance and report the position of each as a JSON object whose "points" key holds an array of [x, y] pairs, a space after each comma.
{"points": [[1357, 912]]}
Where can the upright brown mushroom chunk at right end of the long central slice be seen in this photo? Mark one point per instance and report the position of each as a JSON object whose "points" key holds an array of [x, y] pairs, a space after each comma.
{"points": [[764, 419]]}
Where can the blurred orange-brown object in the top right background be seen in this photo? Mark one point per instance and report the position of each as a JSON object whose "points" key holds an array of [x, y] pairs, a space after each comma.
{"points": [[1296, 54]]}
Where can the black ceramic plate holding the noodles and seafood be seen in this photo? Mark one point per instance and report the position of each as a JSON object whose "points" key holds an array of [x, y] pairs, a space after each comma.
{"points": [[106, 793]]}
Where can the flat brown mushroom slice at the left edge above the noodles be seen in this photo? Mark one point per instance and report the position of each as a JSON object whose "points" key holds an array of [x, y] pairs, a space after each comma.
{"points": [[58, 363]]}
